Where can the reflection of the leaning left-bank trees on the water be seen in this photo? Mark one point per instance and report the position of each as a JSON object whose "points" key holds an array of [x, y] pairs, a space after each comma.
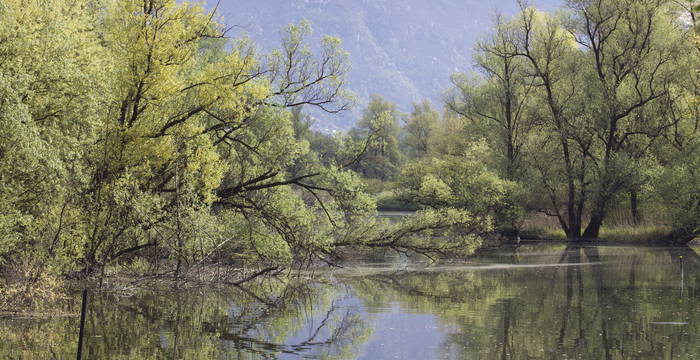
{"points": [[310, 319]]}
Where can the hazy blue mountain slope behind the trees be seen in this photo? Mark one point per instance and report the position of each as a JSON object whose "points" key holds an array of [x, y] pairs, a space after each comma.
{"points": [[403, 50]]}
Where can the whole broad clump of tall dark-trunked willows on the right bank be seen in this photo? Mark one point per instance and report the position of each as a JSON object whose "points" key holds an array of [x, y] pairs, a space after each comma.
{"points": [[580, 103]]}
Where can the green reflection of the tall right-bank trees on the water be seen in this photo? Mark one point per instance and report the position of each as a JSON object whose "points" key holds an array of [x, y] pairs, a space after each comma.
{"points": [[613, 305]]}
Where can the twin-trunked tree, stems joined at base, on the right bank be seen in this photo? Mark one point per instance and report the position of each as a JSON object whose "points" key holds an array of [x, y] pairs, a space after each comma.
{"points": [[595, 73]]}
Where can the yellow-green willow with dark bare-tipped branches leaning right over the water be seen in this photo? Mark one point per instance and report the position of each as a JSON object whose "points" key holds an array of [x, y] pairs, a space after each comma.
{"points": [[188, 132]]}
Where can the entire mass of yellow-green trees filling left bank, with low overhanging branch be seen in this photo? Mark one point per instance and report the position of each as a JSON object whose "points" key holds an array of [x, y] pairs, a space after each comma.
{"points": [[133, 127]]}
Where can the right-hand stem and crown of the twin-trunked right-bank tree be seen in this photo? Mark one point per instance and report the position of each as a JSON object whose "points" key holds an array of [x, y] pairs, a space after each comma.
{"points": [[633, 46]]}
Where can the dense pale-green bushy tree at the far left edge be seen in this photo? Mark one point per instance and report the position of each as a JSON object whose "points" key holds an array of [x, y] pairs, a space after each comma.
{"points": [[51, 87]]}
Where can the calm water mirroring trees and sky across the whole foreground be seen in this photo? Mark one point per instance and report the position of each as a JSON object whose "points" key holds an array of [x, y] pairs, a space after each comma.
{"points": [[533, 302]]}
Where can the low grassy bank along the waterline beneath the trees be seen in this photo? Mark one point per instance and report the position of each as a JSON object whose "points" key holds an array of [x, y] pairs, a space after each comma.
{"points": [[21, 294]]}
